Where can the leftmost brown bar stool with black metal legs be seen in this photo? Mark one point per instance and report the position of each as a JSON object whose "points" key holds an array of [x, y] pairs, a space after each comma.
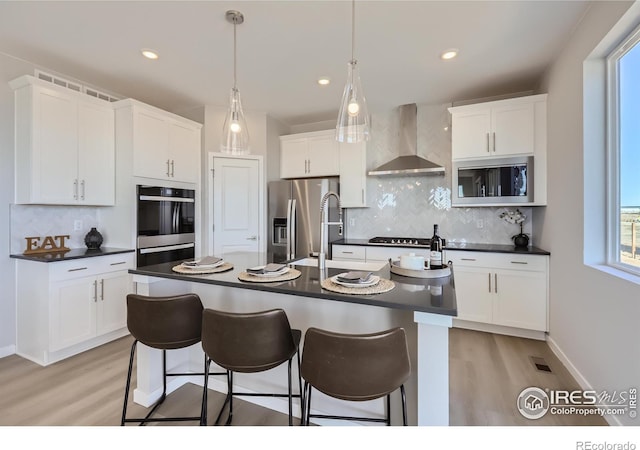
{"points": [[164, 323]]}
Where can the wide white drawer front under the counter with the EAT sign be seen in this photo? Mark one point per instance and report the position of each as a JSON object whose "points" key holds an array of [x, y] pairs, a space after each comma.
{"points": [[90, 266]]}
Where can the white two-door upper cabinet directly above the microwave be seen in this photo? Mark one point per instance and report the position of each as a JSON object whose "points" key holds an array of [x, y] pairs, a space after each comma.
{"points": [[500, 128]]}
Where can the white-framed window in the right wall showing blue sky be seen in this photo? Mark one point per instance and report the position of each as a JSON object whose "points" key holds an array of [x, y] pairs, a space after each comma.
{"points": [[624, 155]]}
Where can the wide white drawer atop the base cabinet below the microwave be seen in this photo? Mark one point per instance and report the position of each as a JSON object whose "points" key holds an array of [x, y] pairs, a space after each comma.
{"points": [[514, 261]]}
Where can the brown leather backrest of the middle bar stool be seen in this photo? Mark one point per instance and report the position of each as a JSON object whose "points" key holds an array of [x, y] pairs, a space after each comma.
{"points": [[247, 342]]}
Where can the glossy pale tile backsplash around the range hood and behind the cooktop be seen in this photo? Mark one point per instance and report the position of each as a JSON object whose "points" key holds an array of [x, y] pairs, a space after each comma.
{"points": [[409, 206]]}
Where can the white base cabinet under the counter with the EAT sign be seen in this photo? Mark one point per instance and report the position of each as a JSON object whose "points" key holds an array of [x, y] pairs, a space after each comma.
{"points": [[67, 307]]}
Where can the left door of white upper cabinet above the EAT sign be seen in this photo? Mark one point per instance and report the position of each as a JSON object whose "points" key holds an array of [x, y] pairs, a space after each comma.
{"points": [[55, 148]]}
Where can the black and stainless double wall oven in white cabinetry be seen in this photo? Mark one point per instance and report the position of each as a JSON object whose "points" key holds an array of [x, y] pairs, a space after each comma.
{"points": [[166, 224]]}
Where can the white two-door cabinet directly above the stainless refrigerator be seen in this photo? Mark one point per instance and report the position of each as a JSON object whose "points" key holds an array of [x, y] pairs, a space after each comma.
{"points": [[306, 155]]}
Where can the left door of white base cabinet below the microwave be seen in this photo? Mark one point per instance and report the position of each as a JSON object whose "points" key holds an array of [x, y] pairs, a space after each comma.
{"points": [[473, 293]]}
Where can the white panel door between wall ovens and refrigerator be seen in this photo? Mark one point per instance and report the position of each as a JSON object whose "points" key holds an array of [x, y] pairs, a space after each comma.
{"points": [[236, 201]]}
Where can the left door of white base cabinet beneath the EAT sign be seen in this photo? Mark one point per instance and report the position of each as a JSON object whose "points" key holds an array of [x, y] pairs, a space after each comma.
{"points": [[73, 309]]}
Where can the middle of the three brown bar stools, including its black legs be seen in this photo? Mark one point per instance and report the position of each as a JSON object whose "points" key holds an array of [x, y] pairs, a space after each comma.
{"points": [[249, 343]]}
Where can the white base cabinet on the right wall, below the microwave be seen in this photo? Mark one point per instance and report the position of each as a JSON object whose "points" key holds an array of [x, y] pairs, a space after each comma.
{"points": [[505, 289]]}
